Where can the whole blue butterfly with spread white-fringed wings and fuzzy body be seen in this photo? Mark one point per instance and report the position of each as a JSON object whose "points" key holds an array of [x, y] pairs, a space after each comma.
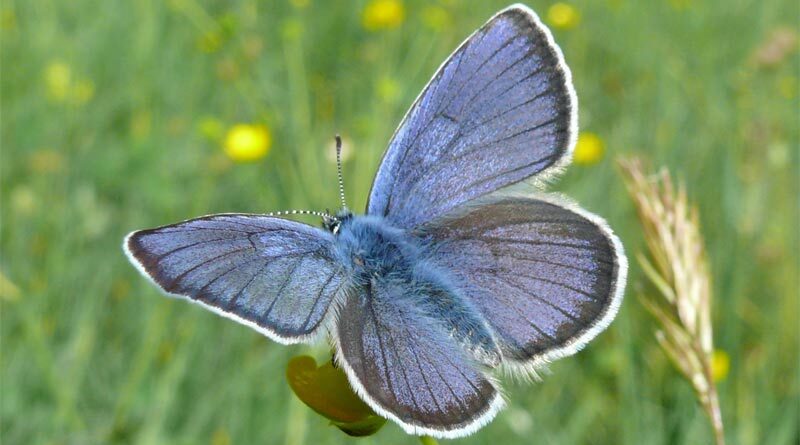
{"points": [[445, 281]]}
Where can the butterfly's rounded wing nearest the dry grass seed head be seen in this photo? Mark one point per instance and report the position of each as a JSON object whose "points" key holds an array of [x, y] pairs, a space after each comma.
{"points": [[547, 275]]}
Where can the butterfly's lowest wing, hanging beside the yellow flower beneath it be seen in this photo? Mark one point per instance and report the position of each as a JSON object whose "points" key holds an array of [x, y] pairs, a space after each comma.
{"points": [[406, 367]]}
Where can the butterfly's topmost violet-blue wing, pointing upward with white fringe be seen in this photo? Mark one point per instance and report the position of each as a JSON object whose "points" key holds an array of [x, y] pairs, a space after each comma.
{"points": [[500, 109]]}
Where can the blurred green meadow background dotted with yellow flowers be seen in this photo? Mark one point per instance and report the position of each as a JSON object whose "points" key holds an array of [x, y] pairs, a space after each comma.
{"points": [[115, 116]]}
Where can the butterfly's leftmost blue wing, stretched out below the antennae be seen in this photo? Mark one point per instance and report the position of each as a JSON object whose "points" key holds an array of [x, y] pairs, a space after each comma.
{"points": [[274, 275]]}
